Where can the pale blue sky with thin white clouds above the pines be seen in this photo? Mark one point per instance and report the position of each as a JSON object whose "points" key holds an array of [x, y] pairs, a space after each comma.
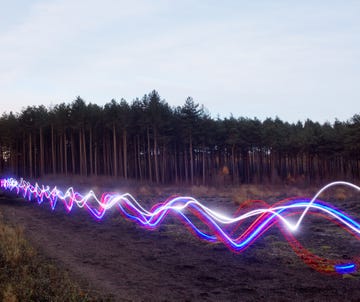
{"points": [[291, 59]]}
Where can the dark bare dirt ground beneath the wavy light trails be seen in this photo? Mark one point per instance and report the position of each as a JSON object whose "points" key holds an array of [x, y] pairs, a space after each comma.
{"points": [[121, 260]]}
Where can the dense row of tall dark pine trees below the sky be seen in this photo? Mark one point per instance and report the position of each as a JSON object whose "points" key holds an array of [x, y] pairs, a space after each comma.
{"points": [[150, 141]]}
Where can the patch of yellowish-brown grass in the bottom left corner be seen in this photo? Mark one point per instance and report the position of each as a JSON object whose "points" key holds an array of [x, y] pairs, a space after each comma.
{"points": [[26, 276]]}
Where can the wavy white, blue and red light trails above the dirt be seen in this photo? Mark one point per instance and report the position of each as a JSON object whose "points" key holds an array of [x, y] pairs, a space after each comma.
{"points": [[214, 226]]}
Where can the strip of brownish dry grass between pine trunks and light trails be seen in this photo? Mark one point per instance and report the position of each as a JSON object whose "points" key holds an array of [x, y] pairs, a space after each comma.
{"points": [[238, 194]]}
